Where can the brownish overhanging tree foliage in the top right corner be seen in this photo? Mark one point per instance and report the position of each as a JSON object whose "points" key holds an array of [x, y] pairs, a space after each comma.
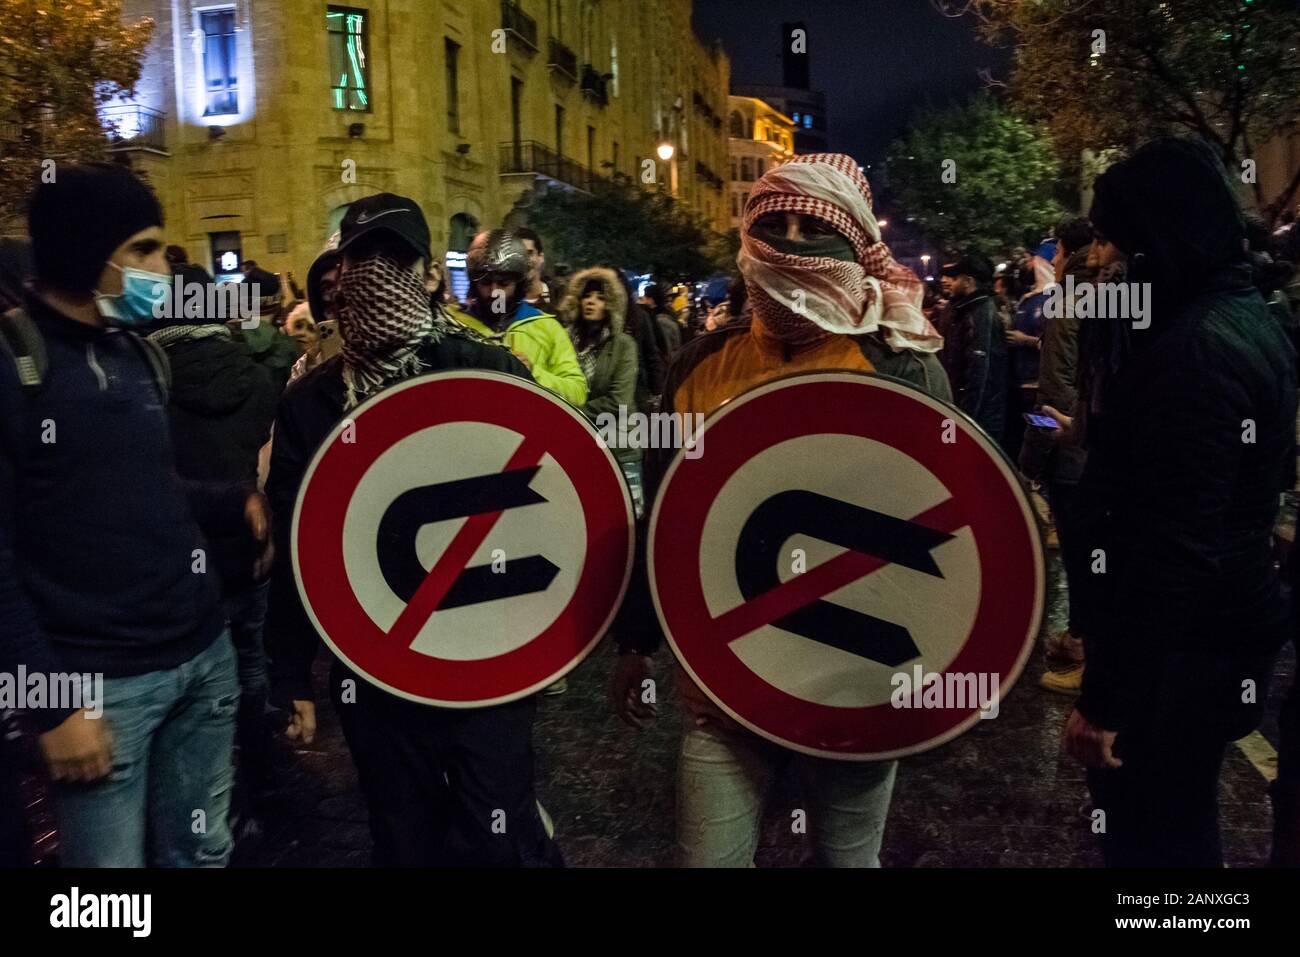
{"points": [[1228, 71]]}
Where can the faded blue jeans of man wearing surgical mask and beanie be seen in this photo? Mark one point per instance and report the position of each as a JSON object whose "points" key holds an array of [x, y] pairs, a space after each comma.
{"points": [[170, 790]]}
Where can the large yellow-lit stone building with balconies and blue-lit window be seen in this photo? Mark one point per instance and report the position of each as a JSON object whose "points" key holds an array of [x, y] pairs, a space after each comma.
{"points": [[258, 123]]}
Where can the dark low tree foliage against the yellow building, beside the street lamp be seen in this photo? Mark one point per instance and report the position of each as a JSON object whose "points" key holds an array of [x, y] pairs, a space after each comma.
{"points": [[623, 226]]}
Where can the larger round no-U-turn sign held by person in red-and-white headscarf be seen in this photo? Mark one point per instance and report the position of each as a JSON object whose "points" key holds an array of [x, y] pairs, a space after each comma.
{"points": [[852, 571]]}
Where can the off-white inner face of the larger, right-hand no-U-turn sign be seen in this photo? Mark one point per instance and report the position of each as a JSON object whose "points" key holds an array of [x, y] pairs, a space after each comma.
{"points": [[938, 612]]}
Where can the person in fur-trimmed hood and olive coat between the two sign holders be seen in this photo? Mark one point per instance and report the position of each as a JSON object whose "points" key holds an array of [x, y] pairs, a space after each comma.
{"points": [[595, 309]]}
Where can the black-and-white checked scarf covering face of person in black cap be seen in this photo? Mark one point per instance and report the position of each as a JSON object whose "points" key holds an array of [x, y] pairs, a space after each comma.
{"points": [[384, 321]]}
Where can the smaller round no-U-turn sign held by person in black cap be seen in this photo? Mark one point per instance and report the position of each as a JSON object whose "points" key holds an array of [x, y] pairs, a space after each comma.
{"points": [[463, 540]]}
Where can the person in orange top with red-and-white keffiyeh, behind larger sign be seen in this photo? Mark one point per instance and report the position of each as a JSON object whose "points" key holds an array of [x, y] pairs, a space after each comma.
{"points": [[826, 295]]}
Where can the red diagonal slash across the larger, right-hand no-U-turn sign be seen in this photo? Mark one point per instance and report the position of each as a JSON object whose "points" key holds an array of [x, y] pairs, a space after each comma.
{"points": [[804, 590]]}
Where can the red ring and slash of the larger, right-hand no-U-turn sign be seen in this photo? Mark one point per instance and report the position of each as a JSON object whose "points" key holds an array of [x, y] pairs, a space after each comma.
{"points": [[985, 496]]}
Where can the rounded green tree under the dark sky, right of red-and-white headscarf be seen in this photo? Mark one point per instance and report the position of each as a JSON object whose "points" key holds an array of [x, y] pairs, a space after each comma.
{"points": [[999, 187]]}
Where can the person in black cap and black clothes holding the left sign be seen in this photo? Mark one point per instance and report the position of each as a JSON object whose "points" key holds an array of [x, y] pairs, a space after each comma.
{"points": [[434, 780]]}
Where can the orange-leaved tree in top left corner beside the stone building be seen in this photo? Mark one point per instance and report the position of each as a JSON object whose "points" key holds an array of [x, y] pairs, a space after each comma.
{"points": [[60, 63]]}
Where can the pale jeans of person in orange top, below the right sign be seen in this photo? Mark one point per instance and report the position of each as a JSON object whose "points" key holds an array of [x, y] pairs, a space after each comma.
{"points": [[723, 780]]}
